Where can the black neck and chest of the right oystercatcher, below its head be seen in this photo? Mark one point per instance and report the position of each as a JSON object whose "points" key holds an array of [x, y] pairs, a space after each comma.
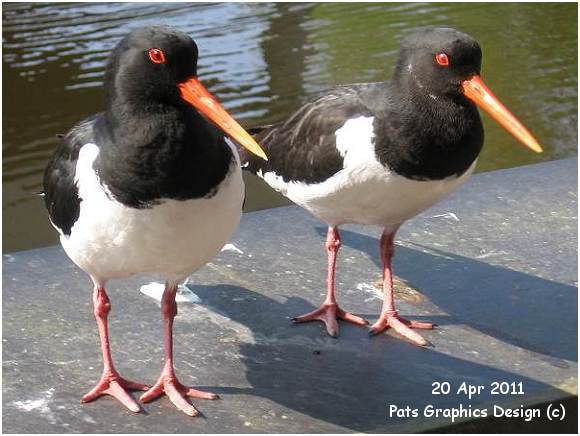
{"points": [[426, 136]]}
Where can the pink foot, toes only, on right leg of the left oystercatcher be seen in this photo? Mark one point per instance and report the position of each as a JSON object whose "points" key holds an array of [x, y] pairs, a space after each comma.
{"points": [[177, 393]]}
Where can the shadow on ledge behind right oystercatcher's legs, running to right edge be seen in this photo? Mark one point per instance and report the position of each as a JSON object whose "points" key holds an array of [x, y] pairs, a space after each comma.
{"points": [[521, 309]]}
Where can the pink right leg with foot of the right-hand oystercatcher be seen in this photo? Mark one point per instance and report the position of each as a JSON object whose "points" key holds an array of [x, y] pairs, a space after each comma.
{"points": [[389, 316]]}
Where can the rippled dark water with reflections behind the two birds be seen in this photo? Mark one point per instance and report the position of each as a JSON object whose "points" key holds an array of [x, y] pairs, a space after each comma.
{"points": [[261, 60]]}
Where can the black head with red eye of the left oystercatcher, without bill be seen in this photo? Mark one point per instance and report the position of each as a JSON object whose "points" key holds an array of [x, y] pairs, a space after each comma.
{"points": [[148, 64]]}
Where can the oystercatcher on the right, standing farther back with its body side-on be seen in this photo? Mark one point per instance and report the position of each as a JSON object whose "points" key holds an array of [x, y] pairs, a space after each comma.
{"points": [[380, 153]]}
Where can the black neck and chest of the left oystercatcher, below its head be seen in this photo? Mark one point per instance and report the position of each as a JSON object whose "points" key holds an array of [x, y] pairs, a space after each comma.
{"points": [[160, 152]]}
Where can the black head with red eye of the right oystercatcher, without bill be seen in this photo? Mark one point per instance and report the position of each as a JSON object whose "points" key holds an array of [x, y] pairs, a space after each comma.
{"points": [[434, 61]]}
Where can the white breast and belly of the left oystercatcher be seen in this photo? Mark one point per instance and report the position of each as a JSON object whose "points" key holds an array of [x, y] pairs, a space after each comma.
{"points": [[172, 239]]}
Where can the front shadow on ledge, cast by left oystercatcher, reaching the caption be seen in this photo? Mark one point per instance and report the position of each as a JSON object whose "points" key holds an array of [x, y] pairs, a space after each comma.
{"points": [[352, 381]]}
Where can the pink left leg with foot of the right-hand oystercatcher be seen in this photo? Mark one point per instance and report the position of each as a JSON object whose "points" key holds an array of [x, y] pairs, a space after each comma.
{"points": [[329, 311]]}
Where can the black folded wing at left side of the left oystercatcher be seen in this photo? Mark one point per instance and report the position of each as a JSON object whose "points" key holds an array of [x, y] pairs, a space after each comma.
{"points": [[60, 191]]}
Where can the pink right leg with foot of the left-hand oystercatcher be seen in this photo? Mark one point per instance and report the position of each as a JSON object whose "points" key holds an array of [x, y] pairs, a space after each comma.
{"points": [[167, 383]]}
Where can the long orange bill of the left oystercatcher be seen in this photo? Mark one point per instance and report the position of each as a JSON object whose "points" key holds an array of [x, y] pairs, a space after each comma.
{"points": [[197, 95]]}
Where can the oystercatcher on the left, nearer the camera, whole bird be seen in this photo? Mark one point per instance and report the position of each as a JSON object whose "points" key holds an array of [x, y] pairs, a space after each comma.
{"points": [[148, 186]]}
